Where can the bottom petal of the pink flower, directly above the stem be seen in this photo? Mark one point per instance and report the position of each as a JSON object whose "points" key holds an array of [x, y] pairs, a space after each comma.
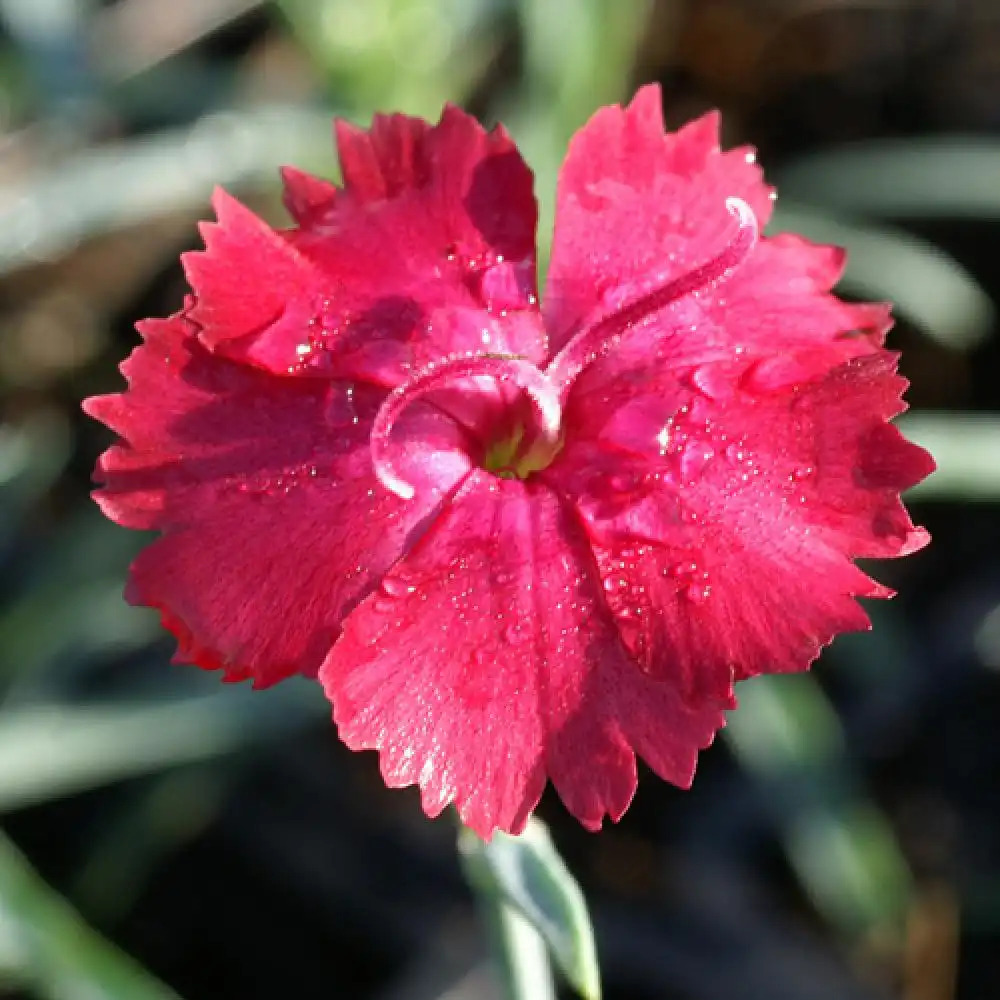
{"points": [[488, 660]]}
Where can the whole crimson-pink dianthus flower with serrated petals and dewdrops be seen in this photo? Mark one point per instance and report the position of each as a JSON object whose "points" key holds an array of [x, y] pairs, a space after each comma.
{"points": [[517, 543]]}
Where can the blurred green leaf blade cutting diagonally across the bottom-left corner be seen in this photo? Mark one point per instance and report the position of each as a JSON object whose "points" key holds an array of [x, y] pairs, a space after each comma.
{"points": [[47, 948]]}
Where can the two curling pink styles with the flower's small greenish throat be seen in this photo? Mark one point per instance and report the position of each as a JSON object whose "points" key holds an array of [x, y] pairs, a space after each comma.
{"points": [[528, 447]]}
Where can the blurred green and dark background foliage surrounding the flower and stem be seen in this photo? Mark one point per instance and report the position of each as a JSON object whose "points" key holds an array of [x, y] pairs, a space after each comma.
{"points": [[161, 836]]}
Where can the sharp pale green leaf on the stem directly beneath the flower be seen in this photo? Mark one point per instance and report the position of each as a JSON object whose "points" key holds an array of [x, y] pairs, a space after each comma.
{"points": [[527, 873]]}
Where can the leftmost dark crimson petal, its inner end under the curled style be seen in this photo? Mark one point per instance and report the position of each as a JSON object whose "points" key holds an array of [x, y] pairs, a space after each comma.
{"points": [[274, 524]]}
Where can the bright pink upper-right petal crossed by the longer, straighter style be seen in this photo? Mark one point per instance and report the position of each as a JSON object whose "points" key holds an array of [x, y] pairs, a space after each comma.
{"points": [[638, 210]]}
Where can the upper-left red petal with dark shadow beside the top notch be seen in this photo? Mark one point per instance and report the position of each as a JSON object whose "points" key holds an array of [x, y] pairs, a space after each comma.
{"points": [[432, 219]]}
